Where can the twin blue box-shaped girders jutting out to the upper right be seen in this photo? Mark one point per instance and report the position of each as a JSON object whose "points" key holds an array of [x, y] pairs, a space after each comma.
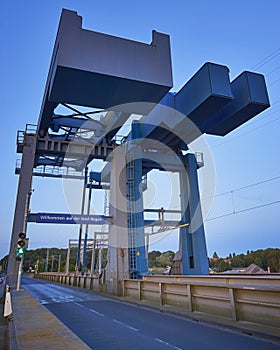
{"points": [[207, 103]]}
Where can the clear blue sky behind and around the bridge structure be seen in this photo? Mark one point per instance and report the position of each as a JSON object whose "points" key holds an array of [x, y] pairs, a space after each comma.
{"points": [[239, 34]]}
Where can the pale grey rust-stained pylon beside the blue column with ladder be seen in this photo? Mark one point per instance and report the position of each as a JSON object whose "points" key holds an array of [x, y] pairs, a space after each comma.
{"points": [[117, 267]]}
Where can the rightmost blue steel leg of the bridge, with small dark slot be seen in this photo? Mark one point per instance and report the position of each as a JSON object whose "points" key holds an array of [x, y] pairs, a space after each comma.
{"points": [[192, 237]]}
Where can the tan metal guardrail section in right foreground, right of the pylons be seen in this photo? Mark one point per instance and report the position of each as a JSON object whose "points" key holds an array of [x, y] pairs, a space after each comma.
{"points": [[252, 303]]}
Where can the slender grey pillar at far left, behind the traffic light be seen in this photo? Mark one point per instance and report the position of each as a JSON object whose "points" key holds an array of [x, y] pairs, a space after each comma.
{"points": [[20, 215]]}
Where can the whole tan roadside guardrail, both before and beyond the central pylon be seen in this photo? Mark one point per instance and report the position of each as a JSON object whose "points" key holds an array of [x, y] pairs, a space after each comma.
{"points": [[254, 299]]}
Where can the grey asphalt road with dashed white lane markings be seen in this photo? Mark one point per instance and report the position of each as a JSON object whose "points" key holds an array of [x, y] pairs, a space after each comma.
{"points": [[104, 323]]}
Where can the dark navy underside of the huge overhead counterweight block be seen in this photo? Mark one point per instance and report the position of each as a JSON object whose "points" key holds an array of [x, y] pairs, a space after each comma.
{"points": [[104, 86]]}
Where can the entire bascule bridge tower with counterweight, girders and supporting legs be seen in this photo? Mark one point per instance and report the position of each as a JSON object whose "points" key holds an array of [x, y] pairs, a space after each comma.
{"points": [[118, 78]]}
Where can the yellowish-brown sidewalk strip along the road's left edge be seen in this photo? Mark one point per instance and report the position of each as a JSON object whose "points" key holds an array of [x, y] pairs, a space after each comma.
{"points": [[37, 328]]}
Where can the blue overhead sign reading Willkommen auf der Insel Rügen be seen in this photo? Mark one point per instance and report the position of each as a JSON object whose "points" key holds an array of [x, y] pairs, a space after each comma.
{"points": [[54, 218]]}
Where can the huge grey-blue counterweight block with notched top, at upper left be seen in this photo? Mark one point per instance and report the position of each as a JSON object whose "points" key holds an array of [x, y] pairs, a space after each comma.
{"points": [[84, 72]]}
